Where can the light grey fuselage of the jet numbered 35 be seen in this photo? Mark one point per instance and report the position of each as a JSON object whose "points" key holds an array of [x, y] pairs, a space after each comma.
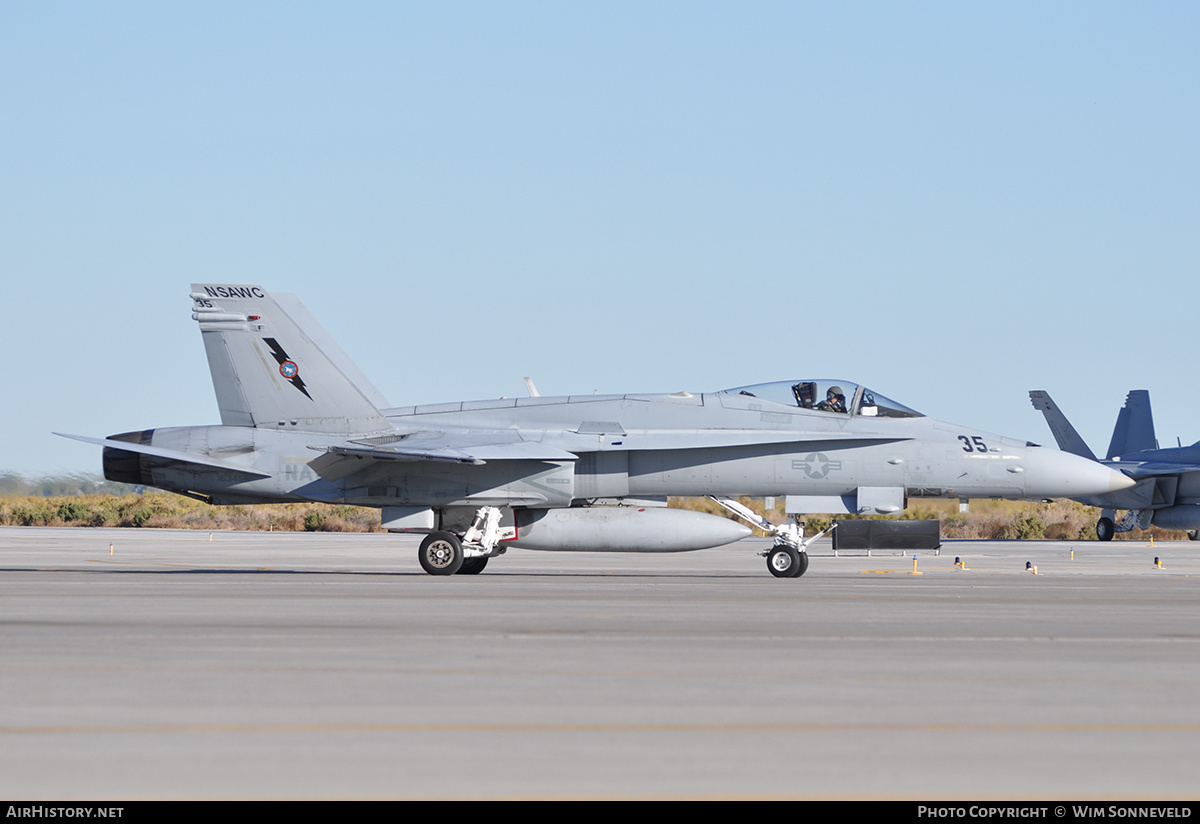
{"points": [[627, 446]]}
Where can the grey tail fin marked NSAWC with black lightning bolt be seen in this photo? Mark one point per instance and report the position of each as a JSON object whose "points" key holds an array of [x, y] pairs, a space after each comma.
{"points": [[269, 374]]}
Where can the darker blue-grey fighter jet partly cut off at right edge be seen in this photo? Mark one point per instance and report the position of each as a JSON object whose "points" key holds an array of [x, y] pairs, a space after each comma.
{"points": [[1167, 491]]}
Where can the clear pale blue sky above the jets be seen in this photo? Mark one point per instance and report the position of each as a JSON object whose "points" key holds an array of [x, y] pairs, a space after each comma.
{"points": [[951, 203]]}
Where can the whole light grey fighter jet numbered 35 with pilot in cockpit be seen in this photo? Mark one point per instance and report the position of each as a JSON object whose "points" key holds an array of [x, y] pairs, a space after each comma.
{"points": [[299, 423]]}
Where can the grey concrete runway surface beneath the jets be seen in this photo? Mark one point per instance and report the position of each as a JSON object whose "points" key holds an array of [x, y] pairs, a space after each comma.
{"points": [[165, 665]]}
